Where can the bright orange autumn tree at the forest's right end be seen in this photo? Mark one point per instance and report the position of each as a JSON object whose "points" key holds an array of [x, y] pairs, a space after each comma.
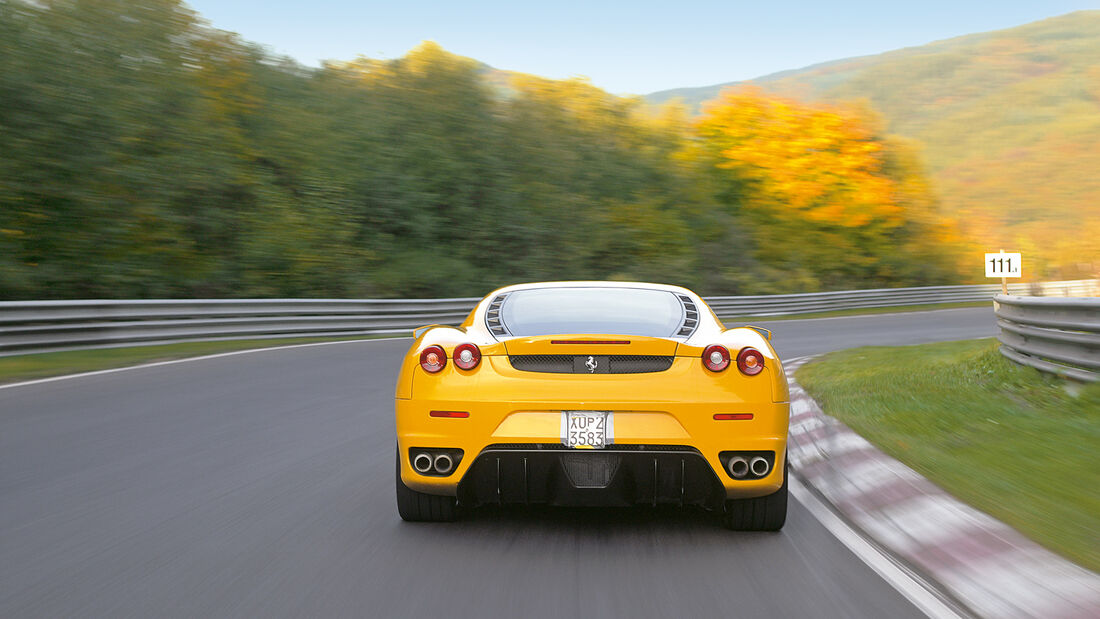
{"points": [[830, 202]]}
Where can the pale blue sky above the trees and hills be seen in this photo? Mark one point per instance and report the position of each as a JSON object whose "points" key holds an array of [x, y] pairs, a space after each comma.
{"points": [[625, 48]]}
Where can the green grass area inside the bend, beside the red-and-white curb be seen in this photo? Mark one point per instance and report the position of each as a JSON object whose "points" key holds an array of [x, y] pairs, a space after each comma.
{"points": [[1016, 444]]}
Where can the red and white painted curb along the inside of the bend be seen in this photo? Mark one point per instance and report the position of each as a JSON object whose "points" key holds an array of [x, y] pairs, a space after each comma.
{"points": [[985, 565]]}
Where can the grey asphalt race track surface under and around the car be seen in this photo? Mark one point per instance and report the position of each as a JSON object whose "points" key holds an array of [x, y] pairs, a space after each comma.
{"points": [[262, 485]]}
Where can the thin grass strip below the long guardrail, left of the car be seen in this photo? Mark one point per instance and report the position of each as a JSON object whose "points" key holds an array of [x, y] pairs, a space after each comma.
{"points": [[42, 366]]}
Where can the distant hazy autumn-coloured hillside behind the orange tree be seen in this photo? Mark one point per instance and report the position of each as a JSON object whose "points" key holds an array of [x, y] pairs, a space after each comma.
{"points": [[1010, 121]]}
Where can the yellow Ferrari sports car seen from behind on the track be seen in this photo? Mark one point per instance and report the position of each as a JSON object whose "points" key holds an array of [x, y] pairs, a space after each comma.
{"points": [[593, 394]]}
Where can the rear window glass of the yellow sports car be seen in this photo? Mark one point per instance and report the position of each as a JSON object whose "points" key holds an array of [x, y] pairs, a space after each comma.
{"points": [[622, 312]]}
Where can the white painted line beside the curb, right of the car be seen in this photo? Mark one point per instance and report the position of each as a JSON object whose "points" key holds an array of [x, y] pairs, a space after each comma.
{"points": [[895, 574]]}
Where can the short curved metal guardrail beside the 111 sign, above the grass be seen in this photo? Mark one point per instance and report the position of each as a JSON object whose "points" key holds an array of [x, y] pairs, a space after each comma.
{"points": [[1057, 336]]}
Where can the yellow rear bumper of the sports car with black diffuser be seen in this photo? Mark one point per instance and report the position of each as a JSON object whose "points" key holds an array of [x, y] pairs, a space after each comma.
{"points": [[641, 432]]}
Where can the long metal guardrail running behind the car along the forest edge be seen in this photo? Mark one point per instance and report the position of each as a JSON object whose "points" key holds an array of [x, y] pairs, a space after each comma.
{"points": [[29, 327]]}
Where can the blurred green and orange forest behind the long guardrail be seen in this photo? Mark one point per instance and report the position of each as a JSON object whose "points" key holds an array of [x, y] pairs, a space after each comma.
{"points": [[146, 154]]}
